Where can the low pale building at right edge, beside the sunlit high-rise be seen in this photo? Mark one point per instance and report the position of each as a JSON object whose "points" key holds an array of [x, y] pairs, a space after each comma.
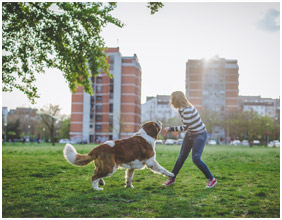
{"points": [[263, 106]]}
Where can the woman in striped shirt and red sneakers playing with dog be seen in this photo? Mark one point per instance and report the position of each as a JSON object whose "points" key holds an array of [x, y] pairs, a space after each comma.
{"points": [[195, 137]]}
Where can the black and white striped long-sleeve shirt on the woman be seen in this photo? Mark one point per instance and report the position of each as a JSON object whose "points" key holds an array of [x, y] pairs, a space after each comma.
{"points": [[191, 120]]}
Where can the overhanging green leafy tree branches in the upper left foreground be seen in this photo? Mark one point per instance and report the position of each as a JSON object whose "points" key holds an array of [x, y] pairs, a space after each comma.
{"points": [[62, 35]]}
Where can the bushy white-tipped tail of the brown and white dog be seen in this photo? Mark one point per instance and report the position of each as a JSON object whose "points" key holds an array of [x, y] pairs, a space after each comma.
{"points": [[74, 158]]}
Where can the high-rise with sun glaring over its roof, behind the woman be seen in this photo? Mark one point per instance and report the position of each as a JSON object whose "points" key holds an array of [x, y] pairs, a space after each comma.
{"points": [[213, 84]]}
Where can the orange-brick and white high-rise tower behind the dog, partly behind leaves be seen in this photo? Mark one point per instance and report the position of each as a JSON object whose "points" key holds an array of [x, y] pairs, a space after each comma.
{"points": [[114, 111]]}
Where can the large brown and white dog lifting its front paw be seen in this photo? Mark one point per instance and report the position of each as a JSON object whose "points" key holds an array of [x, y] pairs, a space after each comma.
{"points": [[132, 153]]}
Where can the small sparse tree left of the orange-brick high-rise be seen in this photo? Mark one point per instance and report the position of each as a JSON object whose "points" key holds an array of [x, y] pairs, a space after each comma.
{"points": [[49, 116]]}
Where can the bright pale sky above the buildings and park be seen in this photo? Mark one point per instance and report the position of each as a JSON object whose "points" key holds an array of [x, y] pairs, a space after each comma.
{"points": [[163, 43]]}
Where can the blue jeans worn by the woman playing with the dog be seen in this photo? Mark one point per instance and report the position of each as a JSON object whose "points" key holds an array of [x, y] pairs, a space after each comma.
{"points": [[196, 142]]}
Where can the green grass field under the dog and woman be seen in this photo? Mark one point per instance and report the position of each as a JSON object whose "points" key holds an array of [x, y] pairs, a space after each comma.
{"points": [[38, 182]]}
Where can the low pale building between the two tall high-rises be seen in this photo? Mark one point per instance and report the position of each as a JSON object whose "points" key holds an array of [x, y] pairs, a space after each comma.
{"points": [[157, 108]]}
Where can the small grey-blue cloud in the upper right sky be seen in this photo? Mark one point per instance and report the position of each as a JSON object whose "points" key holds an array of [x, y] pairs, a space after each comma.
{"points": [[271, 21]]}
